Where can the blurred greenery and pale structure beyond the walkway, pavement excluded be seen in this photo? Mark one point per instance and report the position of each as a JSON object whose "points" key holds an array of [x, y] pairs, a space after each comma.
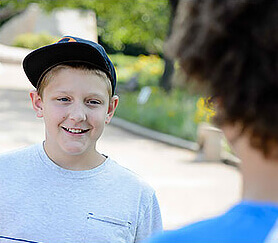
{"points": [[133, 33]]}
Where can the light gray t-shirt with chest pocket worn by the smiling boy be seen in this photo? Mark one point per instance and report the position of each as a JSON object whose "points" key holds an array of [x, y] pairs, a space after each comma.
{"points": [[42, 202]]}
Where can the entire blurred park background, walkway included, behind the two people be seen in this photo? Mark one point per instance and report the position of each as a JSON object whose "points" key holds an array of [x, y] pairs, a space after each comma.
{"points": [[191, 181]]}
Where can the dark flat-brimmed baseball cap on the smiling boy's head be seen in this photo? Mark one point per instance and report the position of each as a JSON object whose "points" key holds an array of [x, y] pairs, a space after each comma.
{"points": [[69, 49]]}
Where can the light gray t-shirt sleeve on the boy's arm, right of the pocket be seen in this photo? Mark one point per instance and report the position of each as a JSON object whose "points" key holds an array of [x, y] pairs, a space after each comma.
{"points": [[151, 222]]}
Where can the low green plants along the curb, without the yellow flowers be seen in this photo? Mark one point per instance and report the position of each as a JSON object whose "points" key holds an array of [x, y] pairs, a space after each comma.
{"points": [[172, 113]]}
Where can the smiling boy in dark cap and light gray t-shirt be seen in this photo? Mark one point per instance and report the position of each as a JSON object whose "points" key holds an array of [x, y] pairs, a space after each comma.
{"points": [[63, 190]]}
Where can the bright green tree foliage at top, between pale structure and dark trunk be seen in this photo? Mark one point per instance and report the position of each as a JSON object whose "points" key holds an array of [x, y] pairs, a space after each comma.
{"points": [[134, 22]]}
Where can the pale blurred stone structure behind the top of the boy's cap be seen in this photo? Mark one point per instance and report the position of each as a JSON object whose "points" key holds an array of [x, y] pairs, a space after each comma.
{"points": [[75, 22]]}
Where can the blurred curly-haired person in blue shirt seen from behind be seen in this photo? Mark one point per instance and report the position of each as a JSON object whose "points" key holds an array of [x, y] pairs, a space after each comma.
{"points": [[231, 48]]}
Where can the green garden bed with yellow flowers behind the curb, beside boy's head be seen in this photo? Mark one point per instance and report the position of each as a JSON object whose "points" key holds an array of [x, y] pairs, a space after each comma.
{"points": [[177, 113]]}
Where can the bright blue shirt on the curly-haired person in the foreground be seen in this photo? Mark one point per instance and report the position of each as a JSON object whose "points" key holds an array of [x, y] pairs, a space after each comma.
{"points": [[246, 222]]}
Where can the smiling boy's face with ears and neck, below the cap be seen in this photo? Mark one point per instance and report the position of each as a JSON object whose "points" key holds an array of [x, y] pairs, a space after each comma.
{"points": [[75, 108]]}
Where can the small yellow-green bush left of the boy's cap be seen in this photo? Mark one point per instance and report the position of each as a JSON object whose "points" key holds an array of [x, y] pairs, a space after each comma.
{"points": [[34, 41]]}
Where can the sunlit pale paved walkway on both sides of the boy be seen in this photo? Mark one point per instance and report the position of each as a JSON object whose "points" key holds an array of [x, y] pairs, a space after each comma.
{"points": [[187, 190]]}
